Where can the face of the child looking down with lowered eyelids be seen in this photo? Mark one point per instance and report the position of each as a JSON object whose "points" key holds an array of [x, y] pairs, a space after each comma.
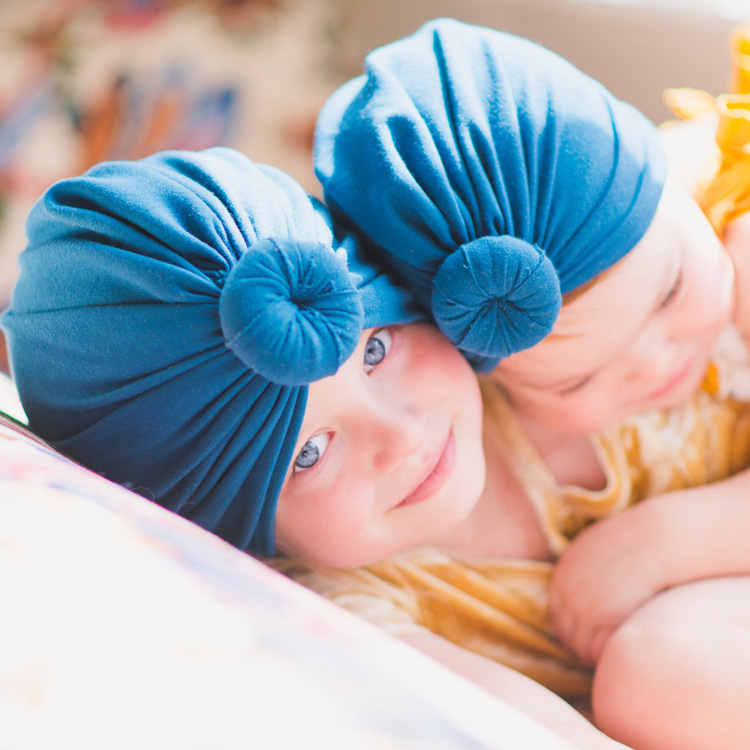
{"points": [[640, 337]]}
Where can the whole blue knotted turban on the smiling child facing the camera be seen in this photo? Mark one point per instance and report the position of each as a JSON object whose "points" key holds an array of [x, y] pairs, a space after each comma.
{"points": [[168, 317]]}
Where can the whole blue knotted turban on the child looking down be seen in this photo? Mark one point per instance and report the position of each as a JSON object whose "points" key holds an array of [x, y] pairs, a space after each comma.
{"points": [[491, 175]]}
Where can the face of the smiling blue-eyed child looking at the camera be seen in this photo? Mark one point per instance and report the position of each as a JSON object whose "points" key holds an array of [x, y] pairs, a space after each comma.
{"points": [[390, 453]]}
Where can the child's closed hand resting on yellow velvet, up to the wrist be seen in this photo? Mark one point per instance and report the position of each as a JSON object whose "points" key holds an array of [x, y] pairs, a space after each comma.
{"points": [[608, 571]]}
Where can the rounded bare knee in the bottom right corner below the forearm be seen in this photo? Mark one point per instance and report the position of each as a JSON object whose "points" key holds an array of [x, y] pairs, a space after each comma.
{"points": [[677, 673]]}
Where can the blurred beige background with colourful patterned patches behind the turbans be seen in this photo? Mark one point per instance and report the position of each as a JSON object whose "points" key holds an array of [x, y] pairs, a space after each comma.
{"points": [[83, 81]]}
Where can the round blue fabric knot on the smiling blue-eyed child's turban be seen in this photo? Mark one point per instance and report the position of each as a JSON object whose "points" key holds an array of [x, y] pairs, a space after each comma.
{"points": [[291, 311]]}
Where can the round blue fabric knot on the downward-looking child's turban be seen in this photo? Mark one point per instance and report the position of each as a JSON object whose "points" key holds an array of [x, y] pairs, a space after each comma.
{"points": [[496, 295]]}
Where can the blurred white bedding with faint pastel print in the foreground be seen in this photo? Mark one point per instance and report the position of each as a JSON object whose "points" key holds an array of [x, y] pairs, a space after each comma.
{"points": [[125, 625]]}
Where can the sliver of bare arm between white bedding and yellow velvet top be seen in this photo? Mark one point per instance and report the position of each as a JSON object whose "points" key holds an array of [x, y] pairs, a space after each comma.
{"points": [[516, 690]]}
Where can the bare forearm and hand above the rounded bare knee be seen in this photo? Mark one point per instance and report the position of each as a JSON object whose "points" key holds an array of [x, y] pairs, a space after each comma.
{"points": [[617, 564]]}
